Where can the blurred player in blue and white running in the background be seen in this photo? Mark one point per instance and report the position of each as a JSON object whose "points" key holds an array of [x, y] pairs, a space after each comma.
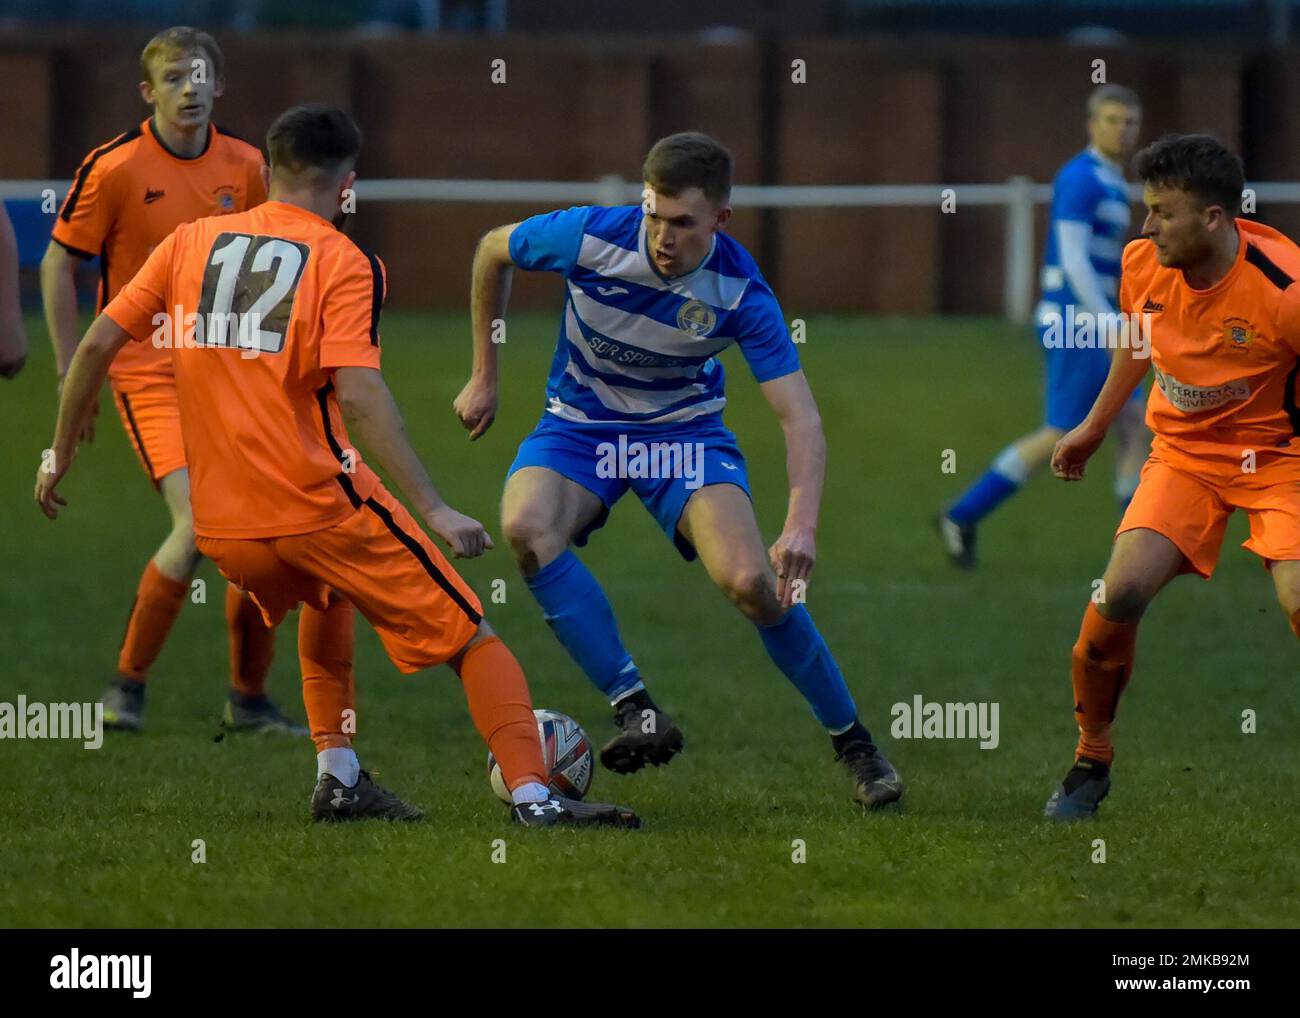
{"points": [[1081, 274]]}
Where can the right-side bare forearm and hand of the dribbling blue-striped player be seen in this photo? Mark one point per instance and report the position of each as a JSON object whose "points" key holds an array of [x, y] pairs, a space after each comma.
{"points": [[795, 552]]}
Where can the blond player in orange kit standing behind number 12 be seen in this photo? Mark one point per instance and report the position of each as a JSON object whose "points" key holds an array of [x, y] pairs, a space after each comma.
{"points": [[128, 196]]}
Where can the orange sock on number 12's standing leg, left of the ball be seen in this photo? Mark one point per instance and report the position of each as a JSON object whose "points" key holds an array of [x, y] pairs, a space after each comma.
{"points": [[326, 646]]}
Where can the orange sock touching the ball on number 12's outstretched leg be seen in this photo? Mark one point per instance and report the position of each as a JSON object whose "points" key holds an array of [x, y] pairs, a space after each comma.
{"points": [[502, 711]]}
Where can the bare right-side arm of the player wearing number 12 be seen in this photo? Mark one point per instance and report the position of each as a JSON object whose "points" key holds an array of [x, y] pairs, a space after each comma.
{"points": [[372, 414]]}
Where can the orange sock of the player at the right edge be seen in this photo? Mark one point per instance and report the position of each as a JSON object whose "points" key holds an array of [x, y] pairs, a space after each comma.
{"points": [[1102, 662]]}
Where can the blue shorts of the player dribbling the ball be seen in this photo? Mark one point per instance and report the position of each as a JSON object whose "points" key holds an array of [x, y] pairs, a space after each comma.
{"points": [[664, 465]]}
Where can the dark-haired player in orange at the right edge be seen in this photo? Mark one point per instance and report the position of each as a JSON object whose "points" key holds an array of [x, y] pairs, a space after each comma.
{"points": [[1214, 301]]}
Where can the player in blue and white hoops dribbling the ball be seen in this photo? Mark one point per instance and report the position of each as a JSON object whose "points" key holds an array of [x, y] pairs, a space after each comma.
{"points": [[634, 401]]}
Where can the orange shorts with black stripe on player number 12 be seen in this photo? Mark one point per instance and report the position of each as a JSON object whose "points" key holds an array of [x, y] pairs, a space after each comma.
{"points": [[382, 561]]}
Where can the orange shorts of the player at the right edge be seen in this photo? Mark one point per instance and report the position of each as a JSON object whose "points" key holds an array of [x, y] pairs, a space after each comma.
{"points": [[1189, 501]]}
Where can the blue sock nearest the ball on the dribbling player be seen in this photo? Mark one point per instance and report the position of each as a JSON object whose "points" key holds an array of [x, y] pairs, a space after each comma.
{"points": [[582, 617]]}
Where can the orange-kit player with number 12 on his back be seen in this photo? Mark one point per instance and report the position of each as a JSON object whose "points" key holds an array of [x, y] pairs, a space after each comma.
{"points": [[275, 335]]}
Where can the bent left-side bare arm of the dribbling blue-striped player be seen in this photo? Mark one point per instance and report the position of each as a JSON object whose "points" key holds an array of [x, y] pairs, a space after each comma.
{"points": [[489, 293]]}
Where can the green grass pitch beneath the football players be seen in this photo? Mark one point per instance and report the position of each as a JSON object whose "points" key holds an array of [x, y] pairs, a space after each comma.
{"points": [[1199, 831]]}
